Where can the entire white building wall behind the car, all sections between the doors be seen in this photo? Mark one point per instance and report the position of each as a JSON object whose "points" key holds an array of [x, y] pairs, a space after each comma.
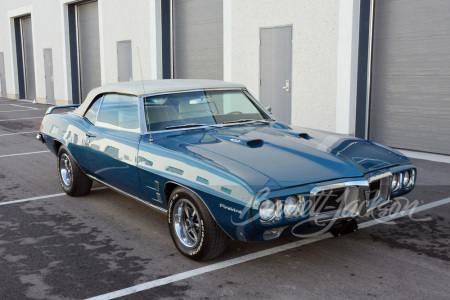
{"points": [[324, 41]]}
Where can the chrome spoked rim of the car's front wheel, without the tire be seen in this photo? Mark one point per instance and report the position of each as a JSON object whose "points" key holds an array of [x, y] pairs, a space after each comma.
{"points": [[187, 223]]}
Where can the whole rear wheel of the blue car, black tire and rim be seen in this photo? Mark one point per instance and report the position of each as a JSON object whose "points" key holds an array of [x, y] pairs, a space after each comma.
{"points": [[73, 180]]}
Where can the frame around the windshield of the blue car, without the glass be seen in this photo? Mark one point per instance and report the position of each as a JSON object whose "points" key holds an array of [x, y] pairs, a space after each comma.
{"points": [[143, 123]]}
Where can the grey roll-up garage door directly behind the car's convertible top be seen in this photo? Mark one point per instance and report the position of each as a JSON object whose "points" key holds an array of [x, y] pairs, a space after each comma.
{"points": [[198, 39]]}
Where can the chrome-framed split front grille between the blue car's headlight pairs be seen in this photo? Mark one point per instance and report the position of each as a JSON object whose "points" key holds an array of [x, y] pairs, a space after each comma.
{"points": [[349, 200]]}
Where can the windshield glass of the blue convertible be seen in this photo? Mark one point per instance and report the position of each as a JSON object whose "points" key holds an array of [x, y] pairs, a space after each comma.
{"points": [[200, 108]]}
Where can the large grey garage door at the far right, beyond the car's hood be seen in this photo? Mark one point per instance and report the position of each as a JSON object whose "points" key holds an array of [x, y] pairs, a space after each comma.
{"points": [[410, 96]]}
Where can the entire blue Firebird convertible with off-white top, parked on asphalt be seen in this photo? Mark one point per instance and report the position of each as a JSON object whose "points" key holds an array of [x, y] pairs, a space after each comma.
{"points": [[214, 160]]}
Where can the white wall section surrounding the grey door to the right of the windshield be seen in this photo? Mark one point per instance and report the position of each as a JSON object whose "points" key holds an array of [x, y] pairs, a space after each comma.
{"points": [[315, 39]]}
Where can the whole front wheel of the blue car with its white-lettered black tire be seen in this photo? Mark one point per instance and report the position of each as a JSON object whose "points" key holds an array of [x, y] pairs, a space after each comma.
{"points": [[211, 241]]}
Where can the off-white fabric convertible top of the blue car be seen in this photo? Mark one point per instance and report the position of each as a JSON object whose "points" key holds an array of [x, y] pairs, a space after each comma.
{"points": [[147, 87]]}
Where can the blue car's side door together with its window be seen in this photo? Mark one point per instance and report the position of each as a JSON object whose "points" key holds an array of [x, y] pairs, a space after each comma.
{"points": [[112, 141]]}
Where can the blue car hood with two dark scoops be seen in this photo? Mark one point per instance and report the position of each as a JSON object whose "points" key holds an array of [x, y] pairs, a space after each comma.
{"points": [[284, 155]]}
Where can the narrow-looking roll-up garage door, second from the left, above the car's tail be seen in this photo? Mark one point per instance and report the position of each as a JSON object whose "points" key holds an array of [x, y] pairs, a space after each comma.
{"points": [[88, 47]]}
